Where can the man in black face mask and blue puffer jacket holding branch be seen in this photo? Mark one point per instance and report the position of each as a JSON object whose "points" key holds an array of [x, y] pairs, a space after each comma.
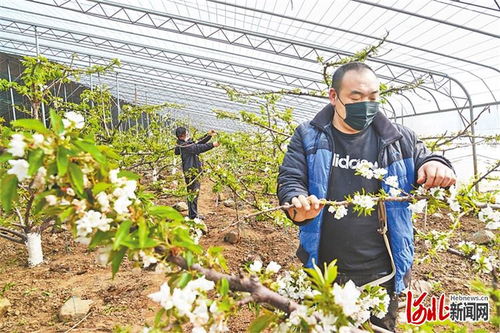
{"points": [[320, 163]]}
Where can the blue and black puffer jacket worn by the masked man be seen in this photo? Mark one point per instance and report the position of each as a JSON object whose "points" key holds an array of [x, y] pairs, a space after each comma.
{"points": [[306, 170]]}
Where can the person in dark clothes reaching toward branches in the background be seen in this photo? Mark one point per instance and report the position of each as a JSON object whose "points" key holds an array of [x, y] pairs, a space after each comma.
{"points": [[191, 164]]}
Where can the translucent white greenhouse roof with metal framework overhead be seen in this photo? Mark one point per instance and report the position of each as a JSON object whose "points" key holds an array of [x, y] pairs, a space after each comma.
{"points": [[182, 51]]}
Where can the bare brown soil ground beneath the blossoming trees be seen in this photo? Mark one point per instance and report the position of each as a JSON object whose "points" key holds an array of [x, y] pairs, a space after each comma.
{"points": [[69, 269]]}
